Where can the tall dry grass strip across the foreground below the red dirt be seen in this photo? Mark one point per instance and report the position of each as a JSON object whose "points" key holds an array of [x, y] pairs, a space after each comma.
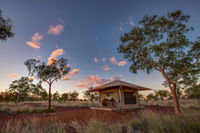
{"points": [[149, 122]]}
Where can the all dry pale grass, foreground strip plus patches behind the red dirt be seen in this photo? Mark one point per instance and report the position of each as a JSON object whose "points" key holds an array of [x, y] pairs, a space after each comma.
{"points": [[148, 122]]}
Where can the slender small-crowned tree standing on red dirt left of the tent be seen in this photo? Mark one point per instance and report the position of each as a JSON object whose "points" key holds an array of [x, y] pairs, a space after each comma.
{"points": [[48, 73]]}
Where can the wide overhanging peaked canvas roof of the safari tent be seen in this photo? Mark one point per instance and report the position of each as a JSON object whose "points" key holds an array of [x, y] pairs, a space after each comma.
{"points": [[116, 83]]}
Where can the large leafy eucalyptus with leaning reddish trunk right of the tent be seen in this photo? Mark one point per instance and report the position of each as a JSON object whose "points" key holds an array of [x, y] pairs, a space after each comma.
{"points": [[161, 44]]}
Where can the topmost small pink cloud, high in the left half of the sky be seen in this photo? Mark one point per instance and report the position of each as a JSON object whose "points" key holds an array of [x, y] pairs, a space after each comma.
{"points": [[55, 30]]}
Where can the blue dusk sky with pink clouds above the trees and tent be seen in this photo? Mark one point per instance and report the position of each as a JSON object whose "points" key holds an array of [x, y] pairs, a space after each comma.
{"points": [[87, 33]]}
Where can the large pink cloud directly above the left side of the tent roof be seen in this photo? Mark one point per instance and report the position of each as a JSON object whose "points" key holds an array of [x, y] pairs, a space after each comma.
{"points": [[95, 80]]}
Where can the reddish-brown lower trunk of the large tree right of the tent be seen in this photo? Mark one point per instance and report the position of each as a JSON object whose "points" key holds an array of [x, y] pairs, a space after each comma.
{"points": [[175, 99]]}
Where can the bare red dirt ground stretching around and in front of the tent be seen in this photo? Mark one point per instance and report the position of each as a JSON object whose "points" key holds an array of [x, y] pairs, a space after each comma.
{"points": [[83, 115]]}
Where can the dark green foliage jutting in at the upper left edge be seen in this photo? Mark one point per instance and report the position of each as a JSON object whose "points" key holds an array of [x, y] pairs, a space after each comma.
{"points": [[5, 28]]}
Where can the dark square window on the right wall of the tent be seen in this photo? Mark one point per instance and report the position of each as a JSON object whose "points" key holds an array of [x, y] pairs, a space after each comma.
{"points": [[130, 98]]}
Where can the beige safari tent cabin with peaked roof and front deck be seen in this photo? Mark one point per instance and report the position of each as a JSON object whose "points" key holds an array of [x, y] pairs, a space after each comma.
{"points": [[118, 95]]}
